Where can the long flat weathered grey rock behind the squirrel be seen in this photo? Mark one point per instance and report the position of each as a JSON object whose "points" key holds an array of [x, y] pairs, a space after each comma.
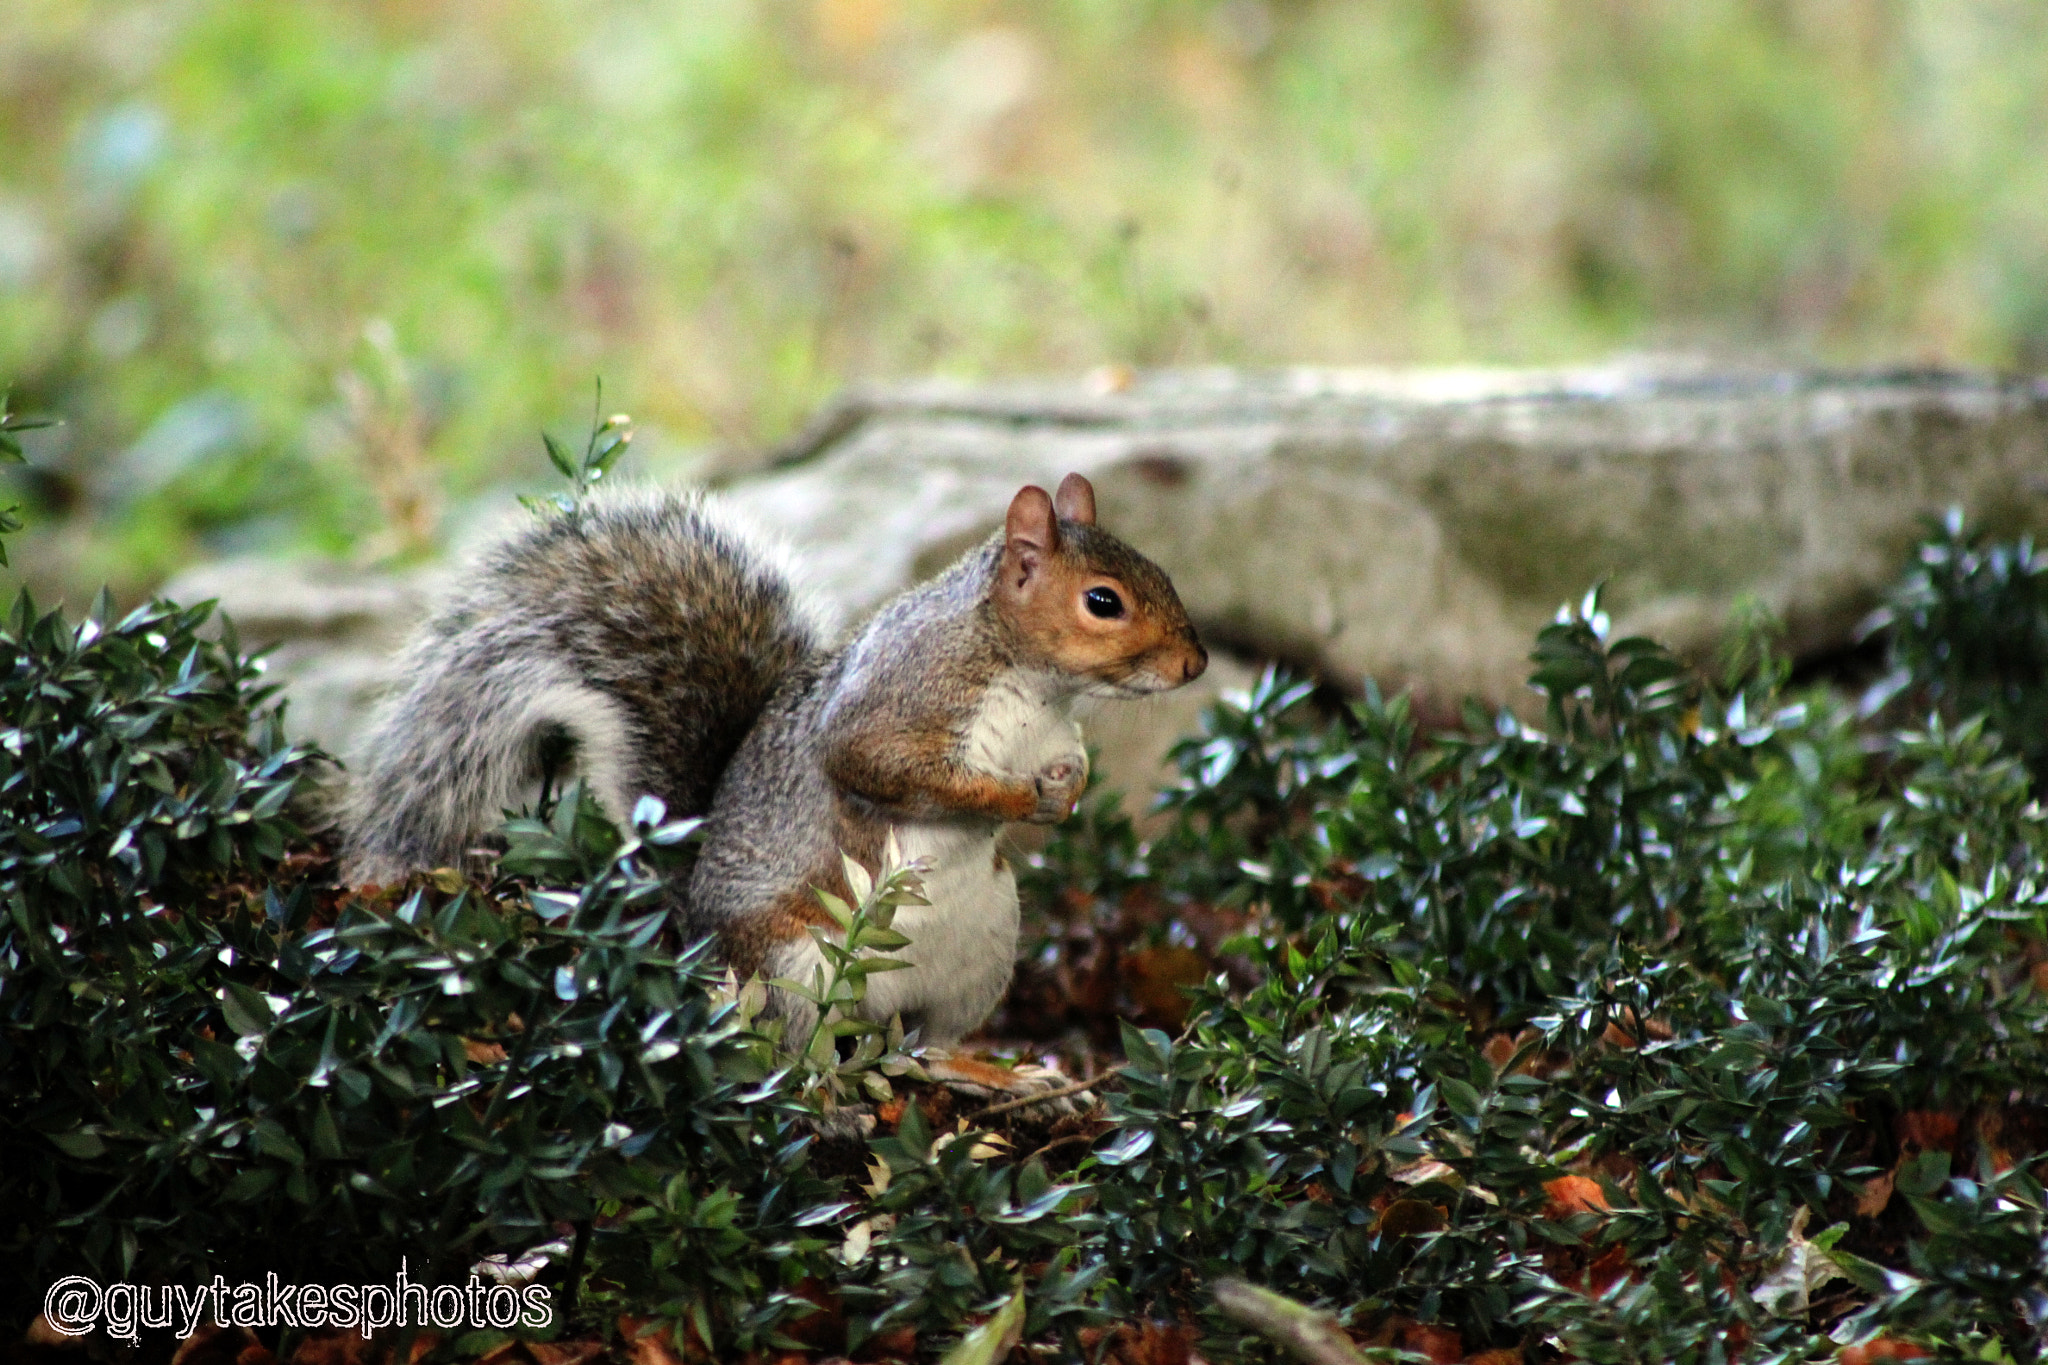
{"points": [[1408, 527]]}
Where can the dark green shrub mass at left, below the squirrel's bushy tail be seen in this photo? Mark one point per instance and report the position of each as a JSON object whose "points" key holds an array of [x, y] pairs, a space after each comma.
{"points": [[208, 1075]]}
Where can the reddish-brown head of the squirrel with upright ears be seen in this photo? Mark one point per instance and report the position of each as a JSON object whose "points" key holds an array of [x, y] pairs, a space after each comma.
{"points": [[1086, 603]]}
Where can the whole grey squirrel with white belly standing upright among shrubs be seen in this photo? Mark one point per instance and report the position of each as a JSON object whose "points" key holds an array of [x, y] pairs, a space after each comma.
{"points": [[675, 656]]}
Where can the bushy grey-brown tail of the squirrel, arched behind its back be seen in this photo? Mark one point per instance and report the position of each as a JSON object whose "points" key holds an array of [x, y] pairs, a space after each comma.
{"points": [[640, 635]]}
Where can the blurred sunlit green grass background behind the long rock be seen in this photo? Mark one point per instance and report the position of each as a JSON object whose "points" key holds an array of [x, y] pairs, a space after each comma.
{"points": [[300, 271]]}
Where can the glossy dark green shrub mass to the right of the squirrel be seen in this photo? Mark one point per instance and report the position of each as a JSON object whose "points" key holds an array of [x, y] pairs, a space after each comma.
{"points": [[1682, 940]]}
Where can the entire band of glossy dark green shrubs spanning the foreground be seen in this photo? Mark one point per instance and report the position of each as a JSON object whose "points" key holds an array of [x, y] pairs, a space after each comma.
{"points": [[1701, 1024]]}
